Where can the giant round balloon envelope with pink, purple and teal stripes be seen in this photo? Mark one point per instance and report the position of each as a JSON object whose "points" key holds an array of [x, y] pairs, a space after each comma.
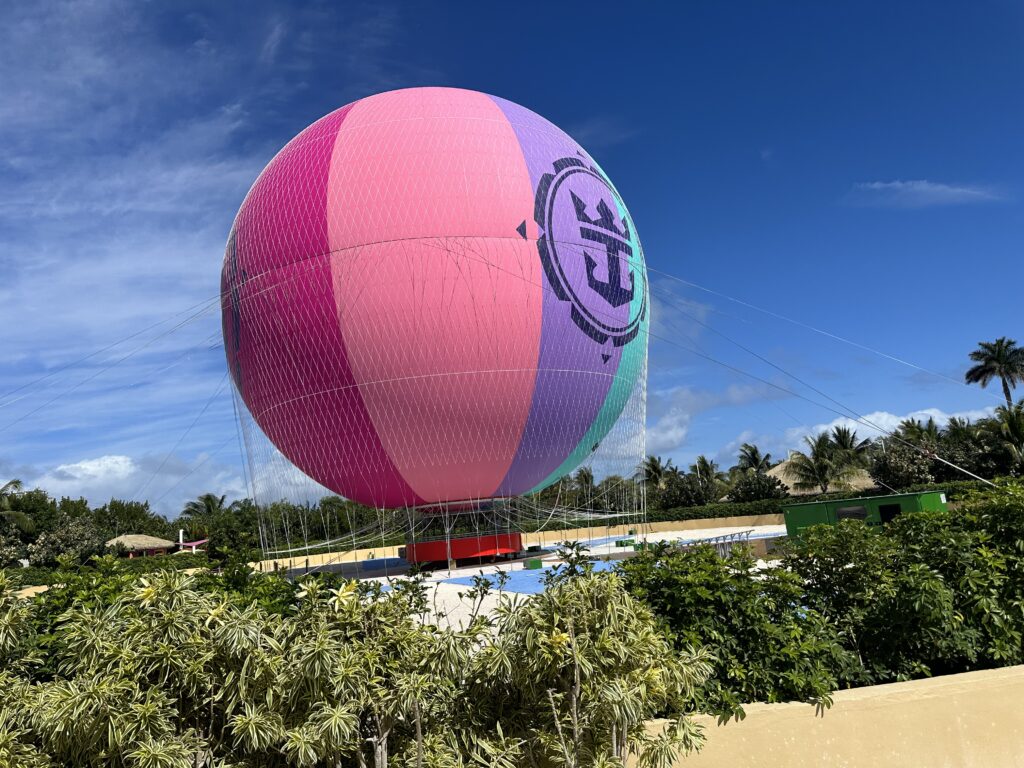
{"points": [[435, 295]]}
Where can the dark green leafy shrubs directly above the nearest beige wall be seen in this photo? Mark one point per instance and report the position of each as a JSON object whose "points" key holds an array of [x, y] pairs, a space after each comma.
{"points": [[932, 593]]}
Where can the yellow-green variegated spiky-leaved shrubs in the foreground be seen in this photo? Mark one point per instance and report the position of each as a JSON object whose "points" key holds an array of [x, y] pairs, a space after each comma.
{"points": [[178, 671]]}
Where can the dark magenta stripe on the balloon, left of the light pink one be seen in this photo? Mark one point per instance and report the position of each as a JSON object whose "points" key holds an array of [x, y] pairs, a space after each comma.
{"points": [[283, 339]]}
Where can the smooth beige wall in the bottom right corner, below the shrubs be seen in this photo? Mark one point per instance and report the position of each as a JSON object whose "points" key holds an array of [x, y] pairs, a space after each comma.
{"points": [[975, 720]]}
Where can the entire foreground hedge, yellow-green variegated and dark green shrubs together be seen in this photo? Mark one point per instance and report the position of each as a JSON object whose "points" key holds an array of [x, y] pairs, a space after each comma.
{"points": [[107, 669]]}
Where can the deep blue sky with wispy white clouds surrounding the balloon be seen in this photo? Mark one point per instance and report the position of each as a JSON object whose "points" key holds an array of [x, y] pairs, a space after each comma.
{"points": [[858, 169]]}
